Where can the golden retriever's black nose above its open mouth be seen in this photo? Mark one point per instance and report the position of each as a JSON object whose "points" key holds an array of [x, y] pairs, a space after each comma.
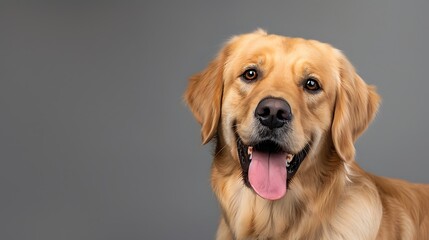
{"points": [[273, 112]]}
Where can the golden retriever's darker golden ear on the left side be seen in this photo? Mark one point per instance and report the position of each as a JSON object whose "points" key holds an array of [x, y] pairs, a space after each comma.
{"points": [[204, 96]]}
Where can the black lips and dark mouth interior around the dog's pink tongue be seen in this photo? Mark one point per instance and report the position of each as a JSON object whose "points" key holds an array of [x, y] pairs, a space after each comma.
{"points": [[271, 146]]}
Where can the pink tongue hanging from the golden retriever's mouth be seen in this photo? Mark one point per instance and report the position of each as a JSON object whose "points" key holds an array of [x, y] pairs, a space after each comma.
{"points": [[267, 174]]}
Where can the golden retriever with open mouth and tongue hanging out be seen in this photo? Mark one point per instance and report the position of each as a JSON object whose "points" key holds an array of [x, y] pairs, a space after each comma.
{"points": [[285, 113]]}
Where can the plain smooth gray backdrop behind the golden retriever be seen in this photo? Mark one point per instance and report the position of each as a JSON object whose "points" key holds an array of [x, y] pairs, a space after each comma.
{"points": [[96, 143]]}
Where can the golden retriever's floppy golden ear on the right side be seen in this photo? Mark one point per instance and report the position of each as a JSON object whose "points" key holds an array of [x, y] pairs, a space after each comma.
{"points": [[356, 105]]}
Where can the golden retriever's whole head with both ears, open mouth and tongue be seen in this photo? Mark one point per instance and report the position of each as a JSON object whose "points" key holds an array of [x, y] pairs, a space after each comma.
{"points": [[275, 101]]}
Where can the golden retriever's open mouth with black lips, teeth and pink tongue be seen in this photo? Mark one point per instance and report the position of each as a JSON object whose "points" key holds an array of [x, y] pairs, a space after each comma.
{"points": [[267, 168]]}
